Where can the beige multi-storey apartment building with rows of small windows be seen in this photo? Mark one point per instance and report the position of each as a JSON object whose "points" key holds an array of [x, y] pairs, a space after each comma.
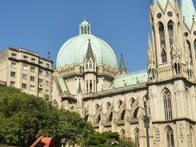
{"points": [[26, 70]]}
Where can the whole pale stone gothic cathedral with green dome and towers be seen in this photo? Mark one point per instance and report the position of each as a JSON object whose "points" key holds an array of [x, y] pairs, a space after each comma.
{"points": [[155, 107]]}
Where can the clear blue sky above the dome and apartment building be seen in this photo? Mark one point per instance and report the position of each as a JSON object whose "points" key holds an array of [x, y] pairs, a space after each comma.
{"points": [[44, 25]]}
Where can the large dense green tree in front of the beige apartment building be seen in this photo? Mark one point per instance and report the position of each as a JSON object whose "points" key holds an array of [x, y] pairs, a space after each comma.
{"points": [[23, 118]]}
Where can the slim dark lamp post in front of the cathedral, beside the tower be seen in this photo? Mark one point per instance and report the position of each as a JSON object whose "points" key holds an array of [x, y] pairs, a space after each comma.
{"points": [[146, 121]]}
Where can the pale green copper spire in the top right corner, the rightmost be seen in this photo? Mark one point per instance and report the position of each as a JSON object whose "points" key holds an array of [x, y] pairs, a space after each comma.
{"points": [[188, 12]]}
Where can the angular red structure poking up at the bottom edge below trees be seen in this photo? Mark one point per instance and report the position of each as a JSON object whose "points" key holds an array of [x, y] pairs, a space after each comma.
{"points": [[43, 142]]}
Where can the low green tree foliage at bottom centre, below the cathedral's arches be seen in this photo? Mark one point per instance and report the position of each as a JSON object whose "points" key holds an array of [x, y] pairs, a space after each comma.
{"points": [[108, 139]]}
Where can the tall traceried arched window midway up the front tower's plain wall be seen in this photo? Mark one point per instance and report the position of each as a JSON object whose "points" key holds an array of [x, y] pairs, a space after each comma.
{"points": [[167, 104]]}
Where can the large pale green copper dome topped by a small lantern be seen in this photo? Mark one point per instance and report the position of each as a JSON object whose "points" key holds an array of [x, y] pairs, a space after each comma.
{"points": [[74, 50]]}
